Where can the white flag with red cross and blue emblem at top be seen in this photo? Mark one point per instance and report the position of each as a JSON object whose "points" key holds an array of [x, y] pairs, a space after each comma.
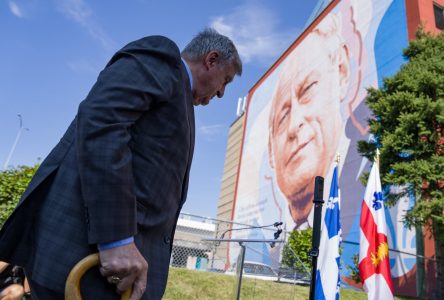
{"points": [[374, 265]]}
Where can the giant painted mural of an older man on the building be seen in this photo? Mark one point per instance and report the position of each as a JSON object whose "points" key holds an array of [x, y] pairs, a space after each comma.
{"points": [[308, 108]]}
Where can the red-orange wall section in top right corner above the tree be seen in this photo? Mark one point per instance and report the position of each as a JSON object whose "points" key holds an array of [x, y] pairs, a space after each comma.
{"points": [[421, 11]]}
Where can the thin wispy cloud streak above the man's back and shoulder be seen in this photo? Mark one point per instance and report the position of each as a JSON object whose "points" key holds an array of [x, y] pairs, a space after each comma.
{"points": [[81, 13]]}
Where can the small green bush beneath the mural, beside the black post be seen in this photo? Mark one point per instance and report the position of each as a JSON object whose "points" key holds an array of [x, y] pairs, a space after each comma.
{"points": [[299, 244]]}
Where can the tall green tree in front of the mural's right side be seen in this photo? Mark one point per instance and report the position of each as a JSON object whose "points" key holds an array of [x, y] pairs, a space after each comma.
{"points": [[407, 125]]}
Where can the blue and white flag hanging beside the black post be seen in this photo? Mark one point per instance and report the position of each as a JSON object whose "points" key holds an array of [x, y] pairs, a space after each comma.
{"points": [[327, 273]]}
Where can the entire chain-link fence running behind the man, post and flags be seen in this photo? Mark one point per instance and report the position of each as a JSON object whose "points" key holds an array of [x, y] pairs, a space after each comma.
{"points": [[193, 249]]}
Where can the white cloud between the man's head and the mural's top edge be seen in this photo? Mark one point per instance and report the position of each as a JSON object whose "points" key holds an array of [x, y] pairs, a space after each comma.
{"points": [[255, 31]]}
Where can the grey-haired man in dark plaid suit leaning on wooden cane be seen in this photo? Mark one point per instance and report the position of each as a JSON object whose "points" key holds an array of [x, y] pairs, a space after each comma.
{"points": [[118, 178]]}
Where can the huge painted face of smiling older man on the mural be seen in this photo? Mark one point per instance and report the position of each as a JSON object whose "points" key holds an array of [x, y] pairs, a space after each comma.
{"points": [[305, 119]]}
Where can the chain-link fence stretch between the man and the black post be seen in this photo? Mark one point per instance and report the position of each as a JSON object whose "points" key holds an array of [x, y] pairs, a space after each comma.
{"points": [[194, 249]]}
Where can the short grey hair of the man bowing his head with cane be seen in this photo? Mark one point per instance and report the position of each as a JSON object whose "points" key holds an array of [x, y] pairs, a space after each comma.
{"points": [[210, 40]]}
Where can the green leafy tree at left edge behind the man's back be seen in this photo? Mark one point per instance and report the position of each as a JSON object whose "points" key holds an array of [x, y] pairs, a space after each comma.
{"points": [[13, 183]]}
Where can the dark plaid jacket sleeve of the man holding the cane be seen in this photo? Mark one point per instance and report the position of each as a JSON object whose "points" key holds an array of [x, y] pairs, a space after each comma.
{"points": [[137, 79]]}
